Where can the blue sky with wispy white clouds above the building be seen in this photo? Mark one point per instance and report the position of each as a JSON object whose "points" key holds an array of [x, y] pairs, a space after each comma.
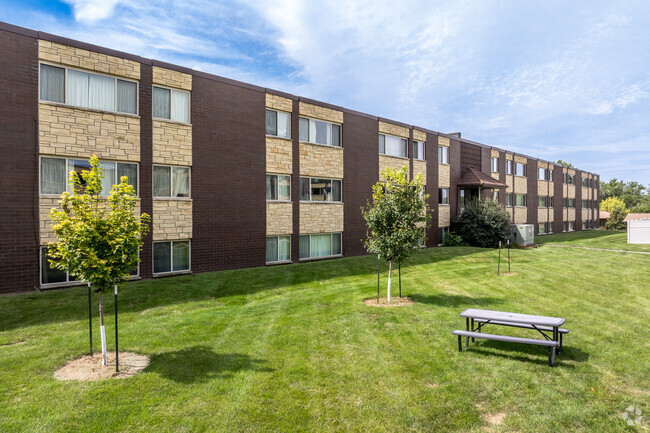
{"points": [[551, 79]]}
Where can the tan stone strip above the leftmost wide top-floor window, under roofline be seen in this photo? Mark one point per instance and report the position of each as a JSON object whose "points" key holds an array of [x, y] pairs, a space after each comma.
{"points": [[89, 60]]}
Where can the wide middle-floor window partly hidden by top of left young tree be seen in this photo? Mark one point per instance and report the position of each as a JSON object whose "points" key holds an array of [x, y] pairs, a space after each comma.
{"points": [[55, 172]]}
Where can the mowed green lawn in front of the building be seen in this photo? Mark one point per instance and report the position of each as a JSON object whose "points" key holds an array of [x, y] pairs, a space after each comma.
{"points": [[293, 348]]}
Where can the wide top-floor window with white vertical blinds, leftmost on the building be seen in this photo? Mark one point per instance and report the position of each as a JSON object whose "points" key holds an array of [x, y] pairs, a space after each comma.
{"points": [[88, 90]]}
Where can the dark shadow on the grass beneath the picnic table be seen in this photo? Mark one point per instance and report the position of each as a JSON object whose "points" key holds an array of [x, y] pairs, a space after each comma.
{"points": [[539, 355]]}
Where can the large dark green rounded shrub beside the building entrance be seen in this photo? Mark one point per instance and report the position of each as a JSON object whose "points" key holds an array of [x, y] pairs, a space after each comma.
{"points": [[483, 223]]}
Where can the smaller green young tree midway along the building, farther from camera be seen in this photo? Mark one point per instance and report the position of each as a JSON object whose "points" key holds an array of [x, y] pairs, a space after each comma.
{"points": [[397, 218]]}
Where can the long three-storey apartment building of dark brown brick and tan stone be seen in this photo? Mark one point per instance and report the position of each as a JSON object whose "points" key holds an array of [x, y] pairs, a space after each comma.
{"points": [[234, 175]]}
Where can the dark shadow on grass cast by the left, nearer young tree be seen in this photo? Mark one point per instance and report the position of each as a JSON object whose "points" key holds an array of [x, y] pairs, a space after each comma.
{"points": [[200, 363]]}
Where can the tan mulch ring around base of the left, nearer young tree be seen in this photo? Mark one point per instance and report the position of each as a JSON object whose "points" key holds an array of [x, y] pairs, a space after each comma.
{"points": [[91, 368]]}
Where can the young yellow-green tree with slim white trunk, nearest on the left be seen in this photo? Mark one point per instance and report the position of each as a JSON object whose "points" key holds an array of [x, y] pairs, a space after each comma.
{"points": [[98, 239]]}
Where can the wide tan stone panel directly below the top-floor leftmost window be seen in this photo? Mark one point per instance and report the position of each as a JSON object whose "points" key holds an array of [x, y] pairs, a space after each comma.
{"points": [[78, 132]]}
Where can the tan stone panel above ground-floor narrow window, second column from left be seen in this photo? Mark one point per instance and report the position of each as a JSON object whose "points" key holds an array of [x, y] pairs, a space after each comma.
{"points": [[171, 220]]}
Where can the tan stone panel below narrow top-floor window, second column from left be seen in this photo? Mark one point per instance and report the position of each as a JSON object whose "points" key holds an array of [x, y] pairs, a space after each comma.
{"points": [[172, 143]]}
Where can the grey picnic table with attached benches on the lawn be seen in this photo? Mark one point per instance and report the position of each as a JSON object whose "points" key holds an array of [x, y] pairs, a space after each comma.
{"points": [[549, 327]]}
